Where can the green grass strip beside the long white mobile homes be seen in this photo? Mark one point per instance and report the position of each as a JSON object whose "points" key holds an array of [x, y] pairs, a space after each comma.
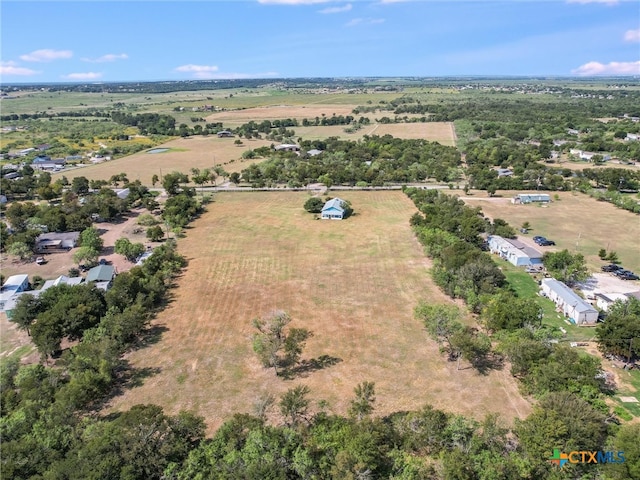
{"points": [[527, 287]]}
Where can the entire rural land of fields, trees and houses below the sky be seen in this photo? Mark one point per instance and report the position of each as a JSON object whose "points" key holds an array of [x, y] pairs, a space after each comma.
{"points": [[403, 278]]}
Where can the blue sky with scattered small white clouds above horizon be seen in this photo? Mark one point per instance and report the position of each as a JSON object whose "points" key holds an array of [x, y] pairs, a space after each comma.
{"points": [[146, 40]]}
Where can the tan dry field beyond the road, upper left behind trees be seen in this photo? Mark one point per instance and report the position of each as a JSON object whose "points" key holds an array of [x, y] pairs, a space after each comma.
{"points": [[184, 154]]}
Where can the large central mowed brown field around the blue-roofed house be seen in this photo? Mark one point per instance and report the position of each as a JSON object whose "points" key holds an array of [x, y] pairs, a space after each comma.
{"points": [[353, 283]]}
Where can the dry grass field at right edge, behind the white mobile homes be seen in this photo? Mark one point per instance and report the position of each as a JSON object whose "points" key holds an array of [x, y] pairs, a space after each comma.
{"points": [[576, 222]]}
